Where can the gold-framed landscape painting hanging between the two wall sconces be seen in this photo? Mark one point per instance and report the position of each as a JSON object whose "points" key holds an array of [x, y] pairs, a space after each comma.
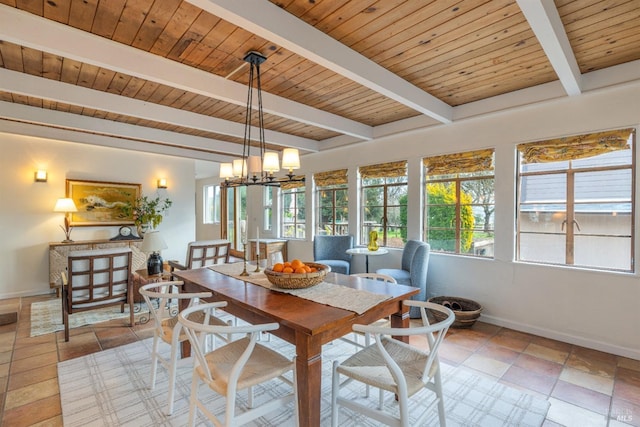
{"points": [[99, 203]]}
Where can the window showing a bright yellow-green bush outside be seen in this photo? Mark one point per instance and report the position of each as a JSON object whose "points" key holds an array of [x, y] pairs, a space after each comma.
{"points": [[460, 203]]}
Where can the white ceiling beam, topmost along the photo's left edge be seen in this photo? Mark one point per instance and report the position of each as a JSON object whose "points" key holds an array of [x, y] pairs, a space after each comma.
{"points": [[17, 27]]}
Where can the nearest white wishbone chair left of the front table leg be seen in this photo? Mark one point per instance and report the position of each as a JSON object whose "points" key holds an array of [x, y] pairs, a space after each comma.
{"points": [[239, 365]]}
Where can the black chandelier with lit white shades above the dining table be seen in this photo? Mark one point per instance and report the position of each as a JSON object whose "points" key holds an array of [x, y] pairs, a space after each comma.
{"points": [[258, 169]]}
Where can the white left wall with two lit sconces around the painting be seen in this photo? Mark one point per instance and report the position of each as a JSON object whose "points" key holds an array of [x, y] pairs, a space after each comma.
{"points": [[27, 220]]}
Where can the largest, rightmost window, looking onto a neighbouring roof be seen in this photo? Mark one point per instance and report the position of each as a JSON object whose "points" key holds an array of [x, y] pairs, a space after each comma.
{"points": [[575, 201]]}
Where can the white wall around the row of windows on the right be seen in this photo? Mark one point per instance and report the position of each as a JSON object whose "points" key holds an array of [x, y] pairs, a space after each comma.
{"points": [[595, 309]]}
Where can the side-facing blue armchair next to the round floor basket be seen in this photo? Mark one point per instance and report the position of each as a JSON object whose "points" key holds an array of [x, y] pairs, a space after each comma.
{"points": [[413, 271]]}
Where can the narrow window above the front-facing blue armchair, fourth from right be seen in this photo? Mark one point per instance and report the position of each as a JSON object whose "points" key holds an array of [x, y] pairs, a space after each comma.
{"points": [[332, 204]]}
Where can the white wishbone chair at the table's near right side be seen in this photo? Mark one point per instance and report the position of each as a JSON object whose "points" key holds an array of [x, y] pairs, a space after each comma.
{"points": [[394, 366]]}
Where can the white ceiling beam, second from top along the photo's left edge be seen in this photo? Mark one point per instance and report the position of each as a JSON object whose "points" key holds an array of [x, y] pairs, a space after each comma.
{"points": [[13, 81]]}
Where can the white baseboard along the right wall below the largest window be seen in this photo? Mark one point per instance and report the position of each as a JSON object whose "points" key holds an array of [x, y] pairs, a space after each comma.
{"points": [[632, 353]]}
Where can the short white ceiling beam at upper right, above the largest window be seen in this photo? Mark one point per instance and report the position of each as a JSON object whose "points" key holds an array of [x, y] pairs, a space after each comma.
{"points": [[545, 22]]}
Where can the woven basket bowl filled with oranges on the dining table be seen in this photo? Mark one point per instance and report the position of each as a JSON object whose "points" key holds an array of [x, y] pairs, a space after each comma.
{"points": [[296, 274]]}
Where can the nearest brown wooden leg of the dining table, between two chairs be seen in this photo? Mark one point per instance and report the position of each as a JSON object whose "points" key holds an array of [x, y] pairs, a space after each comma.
{"points": [[309, 376]]}
